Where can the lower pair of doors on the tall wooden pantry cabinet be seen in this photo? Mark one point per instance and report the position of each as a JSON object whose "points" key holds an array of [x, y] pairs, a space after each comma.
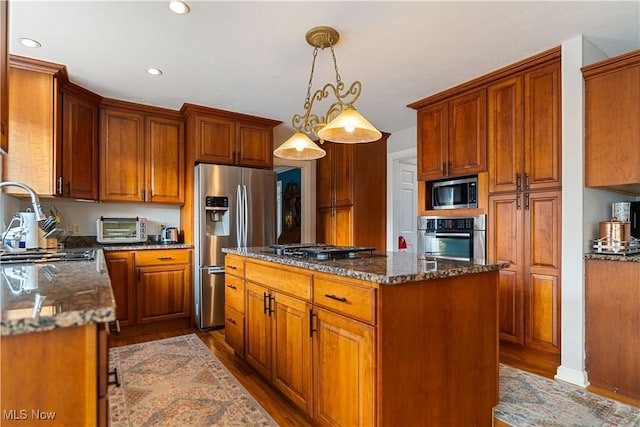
{"points": [[524, 230]]}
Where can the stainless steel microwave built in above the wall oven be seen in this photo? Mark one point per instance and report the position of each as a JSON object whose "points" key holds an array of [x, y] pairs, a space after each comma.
{"points": [[455, 193]]}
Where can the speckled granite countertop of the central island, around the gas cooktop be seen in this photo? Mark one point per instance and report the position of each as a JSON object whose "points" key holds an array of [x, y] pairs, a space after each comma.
{"points": [[385, 268]]}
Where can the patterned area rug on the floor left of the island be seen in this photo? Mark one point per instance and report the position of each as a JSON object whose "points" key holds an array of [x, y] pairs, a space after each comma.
{"points": [[178, 382]]}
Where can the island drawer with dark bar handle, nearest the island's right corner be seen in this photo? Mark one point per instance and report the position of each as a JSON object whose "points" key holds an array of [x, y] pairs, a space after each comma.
{"points": [[345, 298]]}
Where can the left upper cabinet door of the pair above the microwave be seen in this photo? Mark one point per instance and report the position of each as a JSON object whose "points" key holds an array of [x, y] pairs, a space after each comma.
{"points": [[433, 129]]}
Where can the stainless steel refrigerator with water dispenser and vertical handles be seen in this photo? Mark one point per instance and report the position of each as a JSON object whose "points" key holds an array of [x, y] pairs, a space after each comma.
{"points": [[234, 207]]}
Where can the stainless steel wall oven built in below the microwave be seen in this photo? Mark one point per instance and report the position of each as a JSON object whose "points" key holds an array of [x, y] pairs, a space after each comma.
{"points": [[452, 237]]}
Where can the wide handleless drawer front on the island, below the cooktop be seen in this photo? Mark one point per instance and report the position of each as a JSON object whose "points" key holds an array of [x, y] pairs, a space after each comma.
{"points": [[281, 278]]}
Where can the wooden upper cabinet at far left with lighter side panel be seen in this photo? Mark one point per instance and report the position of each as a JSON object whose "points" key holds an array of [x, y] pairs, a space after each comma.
{"points": [[53, 131]]}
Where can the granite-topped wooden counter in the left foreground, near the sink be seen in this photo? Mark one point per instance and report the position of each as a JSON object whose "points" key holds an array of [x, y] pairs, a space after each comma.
{"points": [[54, 344]]}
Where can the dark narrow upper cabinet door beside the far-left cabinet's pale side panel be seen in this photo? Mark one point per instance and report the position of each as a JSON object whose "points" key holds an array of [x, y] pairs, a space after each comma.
{"points": [[79, 147]]}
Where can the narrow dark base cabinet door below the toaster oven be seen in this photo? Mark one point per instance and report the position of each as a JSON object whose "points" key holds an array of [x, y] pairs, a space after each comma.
{"points": [[122, 274]]}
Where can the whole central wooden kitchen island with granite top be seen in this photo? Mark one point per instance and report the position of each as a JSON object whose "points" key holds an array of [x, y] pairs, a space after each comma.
{"points": [[387, 339]]}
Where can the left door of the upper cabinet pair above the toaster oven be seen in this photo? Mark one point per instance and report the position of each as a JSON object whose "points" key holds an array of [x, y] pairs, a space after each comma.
{"points": [[121, 156]]}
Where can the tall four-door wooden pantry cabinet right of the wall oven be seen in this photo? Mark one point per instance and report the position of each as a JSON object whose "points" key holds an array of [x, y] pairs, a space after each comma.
{"points": [[524, 218]]}
